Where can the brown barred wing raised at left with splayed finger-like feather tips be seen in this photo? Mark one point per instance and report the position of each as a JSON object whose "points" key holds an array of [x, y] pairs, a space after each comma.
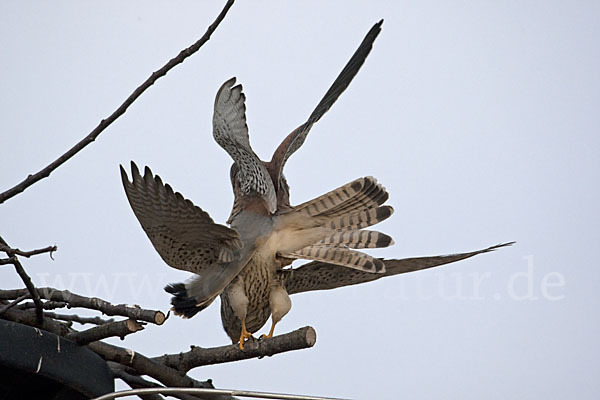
{"points": [[183, 234]]}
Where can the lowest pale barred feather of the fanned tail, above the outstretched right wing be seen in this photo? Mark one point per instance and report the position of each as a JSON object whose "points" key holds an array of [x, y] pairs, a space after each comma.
{"points": [[340, 256]]}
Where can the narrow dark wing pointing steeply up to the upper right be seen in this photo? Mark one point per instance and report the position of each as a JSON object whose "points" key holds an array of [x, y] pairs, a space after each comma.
{"points": [[295, 139]]}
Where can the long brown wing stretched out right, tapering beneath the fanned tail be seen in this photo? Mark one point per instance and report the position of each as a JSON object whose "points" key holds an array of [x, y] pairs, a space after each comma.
{"points": [[323, 276]]}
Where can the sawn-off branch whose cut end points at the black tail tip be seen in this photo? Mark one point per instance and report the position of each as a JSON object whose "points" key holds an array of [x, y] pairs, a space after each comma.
{"points": [[93, 303]]}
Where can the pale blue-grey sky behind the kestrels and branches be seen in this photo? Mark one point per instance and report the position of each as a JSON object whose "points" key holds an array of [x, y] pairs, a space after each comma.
{"points": [[481, 119]]}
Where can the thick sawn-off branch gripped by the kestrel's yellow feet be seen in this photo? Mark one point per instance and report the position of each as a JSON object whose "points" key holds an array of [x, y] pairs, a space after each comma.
{"points": [[198, 356]]}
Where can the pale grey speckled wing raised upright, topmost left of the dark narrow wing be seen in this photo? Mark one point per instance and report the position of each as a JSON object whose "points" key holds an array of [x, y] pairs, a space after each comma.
{"points": [[231, 133]]}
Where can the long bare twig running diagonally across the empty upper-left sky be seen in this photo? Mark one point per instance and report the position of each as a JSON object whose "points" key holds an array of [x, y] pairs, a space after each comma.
{"points": [[45, 172]]}
